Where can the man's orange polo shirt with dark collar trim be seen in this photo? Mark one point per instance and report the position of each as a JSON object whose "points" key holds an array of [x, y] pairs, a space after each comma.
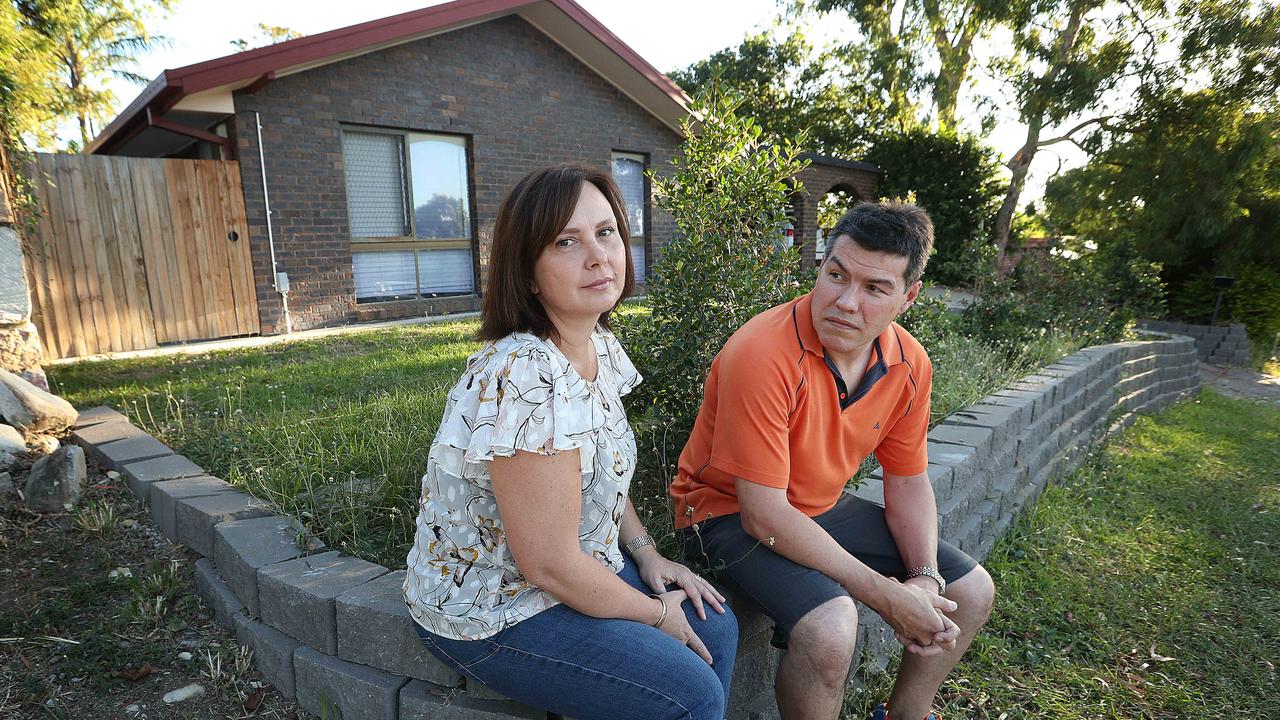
{"points": [[772, 414]]}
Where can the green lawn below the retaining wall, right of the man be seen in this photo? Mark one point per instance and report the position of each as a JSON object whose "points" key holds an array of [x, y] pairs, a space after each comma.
{"points": [[1148, 585]]}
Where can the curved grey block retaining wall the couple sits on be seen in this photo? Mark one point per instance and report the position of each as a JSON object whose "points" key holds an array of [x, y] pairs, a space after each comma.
{"points": [[333, 632]]}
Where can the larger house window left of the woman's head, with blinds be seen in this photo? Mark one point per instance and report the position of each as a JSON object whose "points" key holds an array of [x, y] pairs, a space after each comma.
{"points": [[410, 215]]}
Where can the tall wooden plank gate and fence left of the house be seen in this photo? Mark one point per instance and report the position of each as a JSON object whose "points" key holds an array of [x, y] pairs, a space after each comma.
{"points": [[134, 253]]}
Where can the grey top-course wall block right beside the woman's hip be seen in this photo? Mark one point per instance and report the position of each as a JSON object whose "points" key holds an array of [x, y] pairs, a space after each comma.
{"points": [[376, 630]]}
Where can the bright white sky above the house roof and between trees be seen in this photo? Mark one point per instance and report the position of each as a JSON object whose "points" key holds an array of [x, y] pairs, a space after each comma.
{"points": [[669, 34]]}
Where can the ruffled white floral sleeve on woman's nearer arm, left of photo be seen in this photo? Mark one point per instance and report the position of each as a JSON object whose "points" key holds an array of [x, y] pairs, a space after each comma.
{"points": [[514, 397]]}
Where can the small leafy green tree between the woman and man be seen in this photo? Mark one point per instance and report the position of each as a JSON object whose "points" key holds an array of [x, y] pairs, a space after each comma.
{"points": [[729, 195]]}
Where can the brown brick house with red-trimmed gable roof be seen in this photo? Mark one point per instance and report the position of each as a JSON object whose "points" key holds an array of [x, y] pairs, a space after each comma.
{"points": [[388, 147]]}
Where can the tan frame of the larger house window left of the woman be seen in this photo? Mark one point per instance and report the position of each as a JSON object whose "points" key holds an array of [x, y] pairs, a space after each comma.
{"points": [[412, 243]]}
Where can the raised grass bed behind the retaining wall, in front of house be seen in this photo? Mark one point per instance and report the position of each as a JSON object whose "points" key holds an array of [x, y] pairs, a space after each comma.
{"points": [[337, 431]]}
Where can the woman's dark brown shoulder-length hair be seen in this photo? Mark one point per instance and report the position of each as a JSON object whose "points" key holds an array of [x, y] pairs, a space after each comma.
{"points": [[529, 220]]}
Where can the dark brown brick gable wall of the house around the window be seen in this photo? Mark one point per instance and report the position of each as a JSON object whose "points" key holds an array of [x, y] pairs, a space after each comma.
{"points": [[520, 99]]}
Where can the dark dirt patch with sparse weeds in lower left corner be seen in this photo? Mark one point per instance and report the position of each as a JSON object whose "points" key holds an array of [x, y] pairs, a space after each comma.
{"points": [[99, 618]]}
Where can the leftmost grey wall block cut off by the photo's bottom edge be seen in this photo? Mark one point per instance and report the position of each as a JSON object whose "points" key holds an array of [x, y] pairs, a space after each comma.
{"points": [[326, 685]]}
